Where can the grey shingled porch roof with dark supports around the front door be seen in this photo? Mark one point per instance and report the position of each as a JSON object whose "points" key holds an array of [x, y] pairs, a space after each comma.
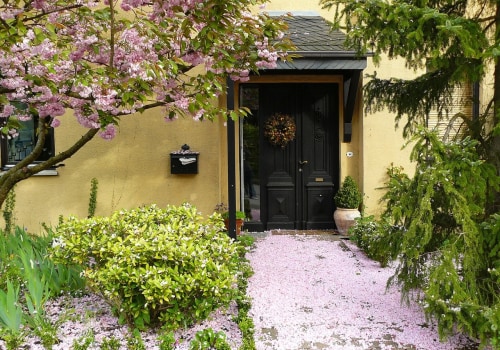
{"points": [[320, 51]]}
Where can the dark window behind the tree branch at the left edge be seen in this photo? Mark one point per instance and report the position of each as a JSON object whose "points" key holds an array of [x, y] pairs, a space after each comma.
{"points": [[17, 148]]}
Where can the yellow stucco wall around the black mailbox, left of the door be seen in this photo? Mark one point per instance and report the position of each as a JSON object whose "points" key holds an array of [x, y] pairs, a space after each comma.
{"points": [[132, 170]]}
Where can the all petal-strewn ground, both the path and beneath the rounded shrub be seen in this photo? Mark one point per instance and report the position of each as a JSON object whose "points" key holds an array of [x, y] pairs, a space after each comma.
{"points": [[308, 292]]}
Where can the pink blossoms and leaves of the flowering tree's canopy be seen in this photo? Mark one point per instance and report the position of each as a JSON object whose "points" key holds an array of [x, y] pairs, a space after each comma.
{"points": [[76, 67]]}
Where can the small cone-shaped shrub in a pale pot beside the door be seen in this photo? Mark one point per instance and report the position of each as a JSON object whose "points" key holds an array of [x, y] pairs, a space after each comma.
{"points": [[347, 200]]}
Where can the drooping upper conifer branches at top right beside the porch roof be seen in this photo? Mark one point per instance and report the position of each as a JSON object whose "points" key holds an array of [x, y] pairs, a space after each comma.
{"points": [[434, 35]]}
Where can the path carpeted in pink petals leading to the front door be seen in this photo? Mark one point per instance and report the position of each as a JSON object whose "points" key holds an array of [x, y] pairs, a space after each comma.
{"points": [[319, 292]]}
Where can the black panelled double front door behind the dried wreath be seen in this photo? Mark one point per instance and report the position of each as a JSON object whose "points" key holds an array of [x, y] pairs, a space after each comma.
{"points": [[296, 182]]}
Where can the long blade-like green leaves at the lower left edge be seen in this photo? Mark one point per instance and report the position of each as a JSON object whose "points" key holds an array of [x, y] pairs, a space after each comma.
{"points": [[28, 278]]}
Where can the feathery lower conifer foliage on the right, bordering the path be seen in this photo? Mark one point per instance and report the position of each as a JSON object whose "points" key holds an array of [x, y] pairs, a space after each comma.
{"points": [[436, 226]]}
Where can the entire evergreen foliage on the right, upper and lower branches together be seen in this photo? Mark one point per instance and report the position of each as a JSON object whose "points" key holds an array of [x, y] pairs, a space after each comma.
{"points": [[447, 209]]}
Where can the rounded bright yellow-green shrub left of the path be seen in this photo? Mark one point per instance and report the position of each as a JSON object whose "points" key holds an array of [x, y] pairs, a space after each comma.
{"points": [[154, 265]]}
